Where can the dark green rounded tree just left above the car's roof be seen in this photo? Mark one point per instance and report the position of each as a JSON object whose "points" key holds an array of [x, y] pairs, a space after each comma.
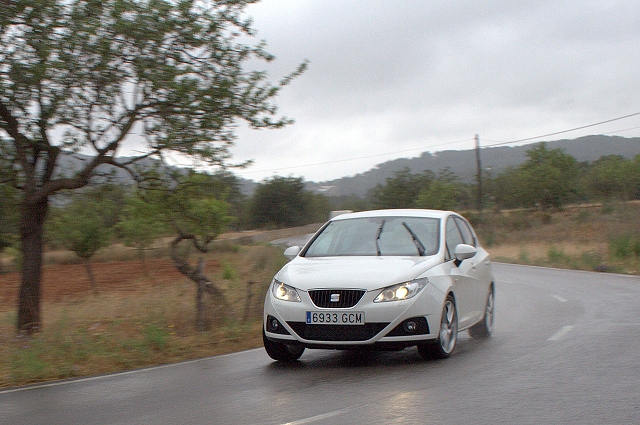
{"points": [[280, 201]]}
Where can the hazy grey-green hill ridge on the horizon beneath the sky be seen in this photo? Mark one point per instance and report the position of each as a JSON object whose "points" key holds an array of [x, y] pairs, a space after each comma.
{"points": [[463, 163]]}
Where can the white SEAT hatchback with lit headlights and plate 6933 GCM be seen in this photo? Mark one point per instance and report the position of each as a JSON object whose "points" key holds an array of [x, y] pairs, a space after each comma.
{"points": [[385, 279]]}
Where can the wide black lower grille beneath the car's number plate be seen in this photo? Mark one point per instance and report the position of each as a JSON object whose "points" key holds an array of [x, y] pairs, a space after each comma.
{"points": [[337, 332]]}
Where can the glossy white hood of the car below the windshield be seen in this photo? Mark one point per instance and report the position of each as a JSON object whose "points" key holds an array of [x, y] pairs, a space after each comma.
{"points": [[353, 272]]}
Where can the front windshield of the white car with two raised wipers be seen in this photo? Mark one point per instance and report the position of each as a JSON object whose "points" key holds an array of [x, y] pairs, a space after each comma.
{"points": [[398, 236]]}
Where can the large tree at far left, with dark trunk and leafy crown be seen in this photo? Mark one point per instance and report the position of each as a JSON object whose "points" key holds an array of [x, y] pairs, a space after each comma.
{"points": [[158, 75]]}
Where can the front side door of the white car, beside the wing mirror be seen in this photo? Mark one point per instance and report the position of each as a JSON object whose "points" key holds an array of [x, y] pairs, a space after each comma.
{"points": [[465, 285]]}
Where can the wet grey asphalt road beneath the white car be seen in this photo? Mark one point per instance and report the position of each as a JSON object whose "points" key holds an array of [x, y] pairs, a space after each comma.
{"points": [[566, 349]]}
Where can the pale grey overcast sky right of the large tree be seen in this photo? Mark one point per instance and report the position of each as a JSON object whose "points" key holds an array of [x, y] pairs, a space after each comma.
{"points": [[391, 79]]}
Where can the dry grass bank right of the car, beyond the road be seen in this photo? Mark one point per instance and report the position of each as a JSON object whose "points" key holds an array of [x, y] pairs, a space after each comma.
{"points": [[581, 237]]}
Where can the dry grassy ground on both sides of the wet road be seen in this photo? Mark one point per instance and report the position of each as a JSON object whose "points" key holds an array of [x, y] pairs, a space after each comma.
{"points": [[143, 312]]}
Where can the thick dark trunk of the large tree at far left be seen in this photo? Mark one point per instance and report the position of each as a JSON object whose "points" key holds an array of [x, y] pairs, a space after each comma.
{"points": [[32, 219]]}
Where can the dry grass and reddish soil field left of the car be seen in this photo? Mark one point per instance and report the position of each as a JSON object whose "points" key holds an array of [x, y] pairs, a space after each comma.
{"points": [[143, 314]]}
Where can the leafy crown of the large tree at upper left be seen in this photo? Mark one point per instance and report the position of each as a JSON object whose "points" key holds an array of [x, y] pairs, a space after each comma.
{"points": [[183, 61]]}
